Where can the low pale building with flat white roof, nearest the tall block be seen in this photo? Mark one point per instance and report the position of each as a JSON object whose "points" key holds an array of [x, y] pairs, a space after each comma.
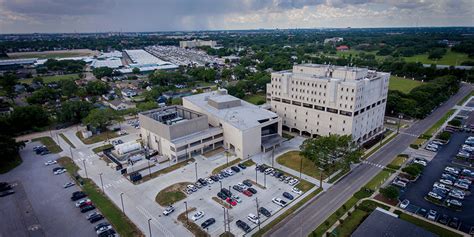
{"points": [[247, 129]]}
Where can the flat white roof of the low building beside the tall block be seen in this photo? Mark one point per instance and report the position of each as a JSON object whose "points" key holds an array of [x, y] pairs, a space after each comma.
{"points": [[241, 115]]}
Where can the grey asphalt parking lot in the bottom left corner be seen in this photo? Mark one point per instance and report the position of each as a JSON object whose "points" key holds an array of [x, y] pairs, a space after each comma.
{"points": [[45, 209]]}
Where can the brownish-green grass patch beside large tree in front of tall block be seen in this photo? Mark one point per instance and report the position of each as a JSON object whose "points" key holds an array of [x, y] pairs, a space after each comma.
{"points": [[292, 160]]}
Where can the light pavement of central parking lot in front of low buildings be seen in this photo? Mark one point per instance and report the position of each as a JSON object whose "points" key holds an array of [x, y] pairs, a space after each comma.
{"points": [[202, 200]]}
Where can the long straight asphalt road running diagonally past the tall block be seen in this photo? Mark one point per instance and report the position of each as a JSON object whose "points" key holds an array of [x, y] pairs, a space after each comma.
{"points": [[319, 209]]}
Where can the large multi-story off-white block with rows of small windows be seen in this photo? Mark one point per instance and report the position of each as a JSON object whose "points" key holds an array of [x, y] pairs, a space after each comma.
{"points": [[321, 100]]}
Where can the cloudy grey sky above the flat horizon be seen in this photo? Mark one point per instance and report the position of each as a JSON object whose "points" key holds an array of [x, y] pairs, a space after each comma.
{"points": [[26, 16]]}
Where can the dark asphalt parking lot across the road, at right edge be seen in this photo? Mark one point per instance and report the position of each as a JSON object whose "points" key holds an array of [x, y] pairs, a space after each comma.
{"points": [[417, 191]]}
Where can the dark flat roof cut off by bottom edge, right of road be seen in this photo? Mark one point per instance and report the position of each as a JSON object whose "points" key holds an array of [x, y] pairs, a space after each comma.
{"points": [[384, 223]]}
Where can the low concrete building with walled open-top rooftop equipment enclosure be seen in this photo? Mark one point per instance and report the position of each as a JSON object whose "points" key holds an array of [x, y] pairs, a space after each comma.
{"points": [[178, 133]]}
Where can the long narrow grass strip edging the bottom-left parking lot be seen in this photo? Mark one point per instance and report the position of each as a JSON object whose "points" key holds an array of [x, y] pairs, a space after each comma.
{"points": [[114, 215]]}
